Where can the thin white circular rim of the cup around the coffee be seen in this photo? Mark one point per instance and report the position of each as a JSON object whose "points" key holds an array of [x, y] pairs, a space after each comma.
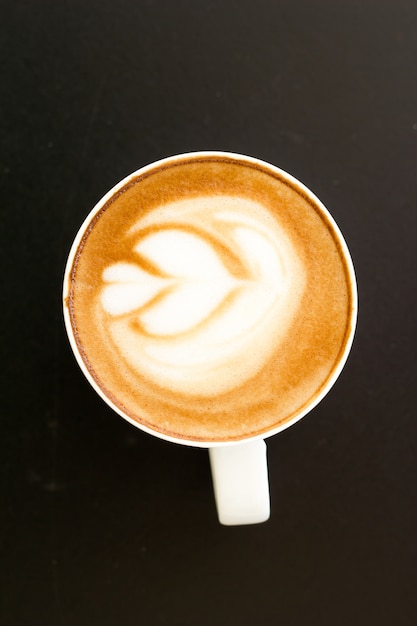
{"points": [[294, 182]]}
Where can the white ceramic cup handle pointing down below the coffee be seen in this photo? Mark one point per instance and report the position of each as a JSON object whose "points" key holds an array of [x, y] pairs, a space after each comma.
{"points": [[240, 481]]}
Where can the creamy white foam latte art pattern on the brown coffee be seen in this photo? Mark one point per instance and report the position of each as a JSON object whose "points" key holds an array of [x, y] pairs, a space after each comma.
{"points": [[212, 281]]}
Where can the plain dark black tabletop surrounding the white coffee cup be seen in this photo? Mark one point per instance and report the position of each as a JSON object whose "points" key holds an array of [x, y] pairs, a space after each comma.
{"points": [[101, 523]]}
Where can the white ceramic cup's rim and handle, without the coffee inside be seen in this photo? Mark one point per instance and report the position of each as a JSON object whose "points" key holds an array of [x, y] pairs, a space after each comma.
{"points": [[239, 468]]}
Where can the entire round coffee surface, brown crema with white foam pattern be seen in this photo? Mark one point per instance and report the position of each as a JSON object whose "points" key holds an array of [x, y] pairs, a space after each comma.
{"points": [[210, 298]]}
